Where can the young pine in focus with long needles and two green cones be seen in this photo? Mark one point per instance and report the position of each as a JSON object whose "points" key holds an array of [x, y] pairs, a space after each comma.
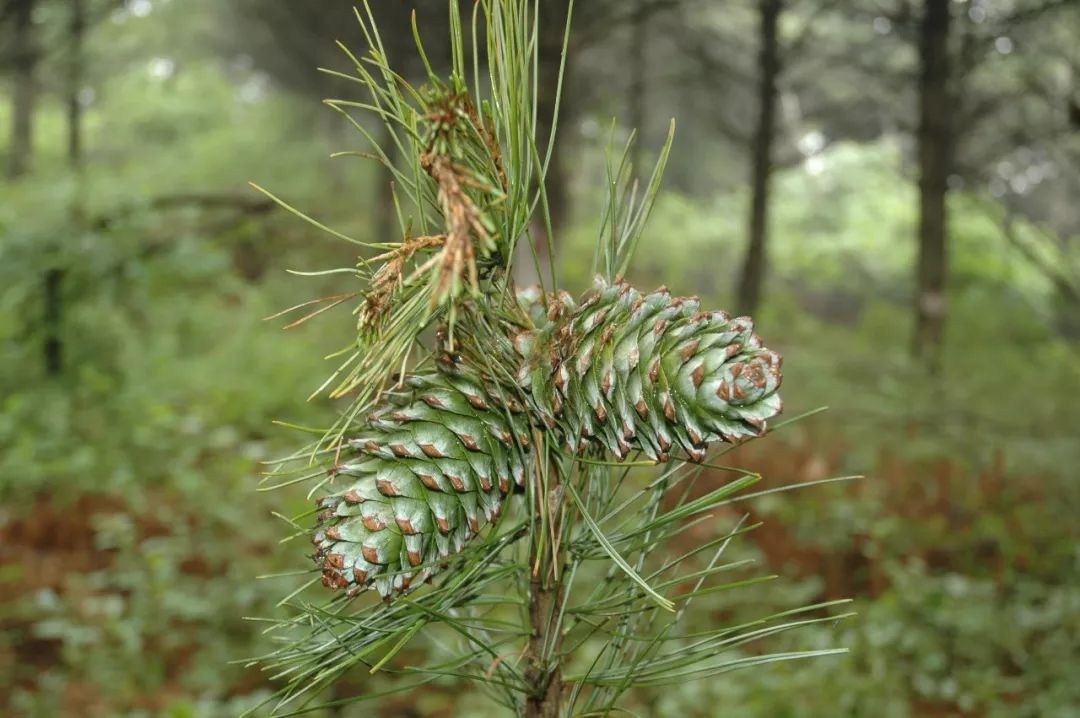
{"points": [[480, 489]]}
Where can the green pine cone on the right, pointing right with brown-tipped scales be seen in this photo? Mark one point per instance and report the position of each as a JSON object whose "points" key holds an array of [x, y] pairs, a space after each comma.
{"points": [[646, 373]]}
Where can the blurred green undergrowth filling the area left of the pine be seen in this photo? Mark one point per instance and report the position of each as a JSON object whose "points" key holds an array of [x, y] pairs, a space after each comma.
{"points": [[129, 524]]}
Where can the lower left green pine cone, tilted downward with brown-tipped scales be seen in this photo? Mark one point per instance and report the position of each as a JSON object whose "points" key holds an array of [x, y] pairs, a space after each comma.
{"points": [[427, 475]]}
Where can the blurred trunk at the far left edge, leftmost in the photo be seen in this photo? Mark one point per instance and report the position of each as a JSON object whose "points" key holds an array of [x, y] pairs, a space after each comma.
{"points": [[24, 92]]}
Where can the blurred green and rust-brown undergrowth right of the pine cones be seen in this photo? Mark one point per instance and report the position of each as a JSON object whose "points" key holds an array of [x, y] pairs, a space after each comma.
{"points": [[991, 548]]}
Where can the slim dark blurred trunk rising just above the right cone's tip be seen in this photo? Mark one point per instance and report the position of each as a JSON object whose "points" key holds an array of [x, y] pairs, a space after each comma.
{"points": [[754, 265]]}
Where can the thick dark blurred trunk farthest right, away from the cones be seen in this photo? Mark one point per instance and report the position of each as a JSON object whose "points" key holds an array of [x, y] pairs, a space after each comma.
{"points": [[935, 155]]}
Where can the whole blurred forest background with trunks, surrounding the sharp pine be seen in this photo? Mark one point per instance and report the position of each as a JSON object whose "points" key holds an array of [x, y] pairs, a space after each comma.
{"points": [[889, 186]]}
